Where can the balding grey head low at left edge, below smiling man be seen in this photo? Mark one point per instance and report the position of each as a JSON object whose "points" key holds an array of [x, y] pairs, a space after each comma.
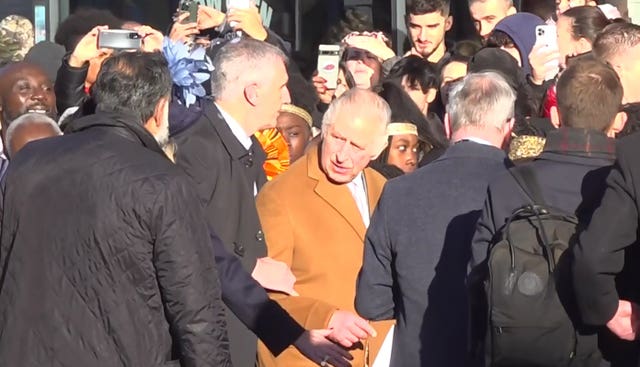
{"points": [[27, 128]]}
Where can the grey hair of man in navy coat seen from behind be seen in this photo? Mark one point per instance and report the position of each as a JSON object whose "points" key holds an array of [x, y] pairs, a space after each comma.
{"points": [[481, 100]]}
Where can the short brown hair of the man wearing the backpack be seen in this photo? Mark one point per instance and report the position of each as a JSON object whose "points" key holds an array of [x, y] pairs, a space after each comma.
{"points": [[589, 95]]}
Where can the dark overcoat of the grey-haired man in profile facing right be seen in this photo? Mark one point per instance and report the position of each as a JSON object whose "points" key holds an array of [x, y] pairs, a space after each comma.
{"points": [[224, 172]]}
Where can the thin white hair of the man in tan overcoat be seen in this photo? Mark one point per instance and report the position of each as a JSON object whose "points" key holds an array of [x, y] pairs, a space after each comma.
{"points": [[358, 102]]}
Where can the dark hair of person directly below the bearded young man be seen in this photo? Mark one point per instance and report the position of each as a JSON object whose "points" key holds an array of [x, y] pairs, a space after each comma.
{"points": [[418, 71]]}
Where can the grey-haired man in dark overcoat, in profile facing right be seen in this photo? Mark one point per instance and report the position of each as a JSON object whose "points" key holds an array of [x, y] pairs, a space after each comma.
{"points": [[225, 161]]}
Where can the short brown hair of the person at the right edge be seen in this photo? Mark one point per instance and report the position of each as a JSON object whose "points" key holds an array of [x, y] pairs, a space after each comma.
{"points": [[615, 39]]}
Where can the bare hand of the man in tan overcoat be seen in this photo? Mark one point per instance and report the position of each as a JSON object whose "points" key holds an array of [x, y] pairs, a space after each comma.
{"points": [[347, 328]]}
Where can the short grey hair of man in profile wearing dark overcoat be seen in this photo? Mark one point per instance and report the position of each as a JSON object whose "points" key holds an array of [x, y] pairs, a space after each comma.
{"points": [[240, 61]]}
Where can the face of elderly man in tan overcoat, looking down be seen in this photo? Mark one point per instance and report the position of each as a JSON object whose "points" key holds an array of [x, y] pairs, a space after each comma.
{"points": [[349, 144]]}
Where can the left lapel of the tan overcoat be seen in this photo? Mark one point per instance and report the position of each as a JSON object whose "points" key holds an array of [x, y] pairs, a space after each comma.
{"points": [[337, 196]]}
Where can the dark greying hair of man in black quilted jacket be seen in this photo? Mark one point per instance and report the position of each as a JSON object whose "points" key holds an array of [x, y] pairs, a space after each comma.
{"points": [[133, 83]]}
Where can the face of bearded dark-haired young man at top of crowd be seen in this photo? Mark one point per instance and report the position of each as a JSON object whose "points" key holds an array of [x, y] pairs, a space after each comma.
{"points": [[427, 32]]}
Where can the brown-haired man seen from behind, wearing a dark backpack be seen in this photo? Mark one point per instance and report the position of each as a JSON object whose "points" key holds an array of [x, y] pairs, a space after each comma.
{"points": [[571, 170]]}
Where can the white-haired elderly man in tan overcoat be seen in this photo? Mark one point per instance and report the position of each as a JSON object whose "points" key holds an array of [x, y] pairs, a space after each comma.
{"points": [[315, 217]]}
